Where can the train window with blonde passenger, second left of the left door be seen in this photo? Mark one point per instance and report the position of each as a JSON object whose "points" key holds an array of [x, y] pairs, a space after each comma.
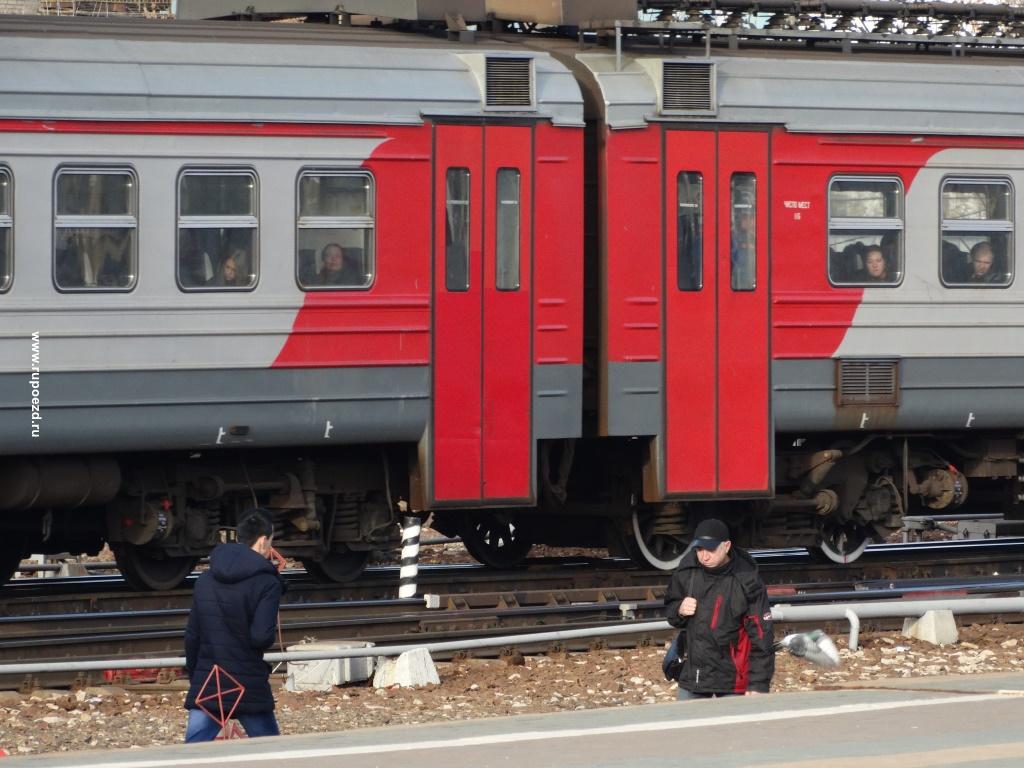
{"points": [[218, 229]]}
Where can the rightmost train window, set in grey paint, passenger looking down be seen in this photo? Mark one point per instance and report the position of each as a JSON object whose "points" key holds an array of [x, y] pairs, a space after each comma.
{"points": [[977, 233]]}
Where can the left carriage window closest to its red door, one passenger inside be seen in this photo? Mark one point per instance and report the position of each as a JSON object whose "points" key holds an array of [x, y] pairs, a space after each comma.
{"points": [[335, 231]]}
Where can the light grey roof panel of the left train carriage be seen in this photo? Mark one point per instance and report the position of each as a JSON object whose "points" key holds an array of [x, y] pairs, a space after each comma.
{"points": [[175, 72]]}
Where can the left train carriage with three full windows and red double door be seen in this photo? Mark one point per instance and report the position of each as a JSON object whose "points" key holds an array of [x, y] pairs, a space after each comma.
{"points": [[335, 274]]}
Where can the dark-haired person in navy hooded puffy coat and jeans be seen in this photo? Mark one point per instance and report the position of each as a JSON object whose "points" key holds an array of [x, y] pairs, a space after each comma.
{"points": [[234, 620]]}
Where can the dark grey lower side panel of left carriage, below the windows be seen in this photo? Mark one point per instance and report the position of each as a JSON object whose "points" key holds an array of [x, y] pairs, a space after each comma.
{"points": [[97, 411]]}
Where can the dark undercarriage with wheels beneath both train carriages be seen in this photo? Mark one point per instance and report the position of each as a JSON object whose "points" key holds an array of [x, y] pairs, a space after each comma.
{"points": [[160, 514]]}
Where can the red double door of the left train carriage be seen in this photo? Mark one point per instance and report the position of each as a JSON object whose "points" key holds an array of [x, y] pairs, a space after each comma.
{"points": [[482, 437]]}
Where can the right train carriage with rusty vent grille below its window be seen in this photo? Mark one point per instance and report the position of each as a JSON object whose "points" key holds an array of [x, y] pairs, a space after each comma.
{"points": [[757, 366]]}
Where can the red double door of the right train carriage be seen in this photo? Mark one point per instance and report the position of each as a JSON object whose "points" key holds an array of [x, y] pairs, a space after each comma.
{"points": [[718, 425]]}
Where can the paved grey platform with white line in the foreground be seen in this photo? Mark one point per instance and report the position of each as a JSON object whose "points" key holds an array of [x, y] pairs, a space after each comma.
{"points": [[966, 722]]}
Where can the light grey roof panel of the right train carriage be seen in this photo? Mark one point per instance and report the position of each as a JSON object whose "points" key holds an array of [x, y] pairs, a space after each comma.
{"points": [[827, 95]]}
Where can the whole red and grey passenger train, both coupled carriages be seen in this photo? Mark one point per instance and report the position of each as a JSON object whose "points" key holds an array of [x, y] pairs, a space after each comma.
{"points": [[542, 291]]}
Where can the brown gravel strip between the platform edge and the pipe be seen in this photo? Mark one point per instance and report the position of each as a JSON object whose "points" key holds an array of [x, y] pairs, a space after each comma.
{"points": [[105, 718]]}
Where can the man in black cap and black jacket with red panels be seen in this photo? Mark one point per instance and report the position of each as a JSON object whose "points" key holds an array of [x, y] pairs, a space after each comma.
{"points": [[717, 596]]}
